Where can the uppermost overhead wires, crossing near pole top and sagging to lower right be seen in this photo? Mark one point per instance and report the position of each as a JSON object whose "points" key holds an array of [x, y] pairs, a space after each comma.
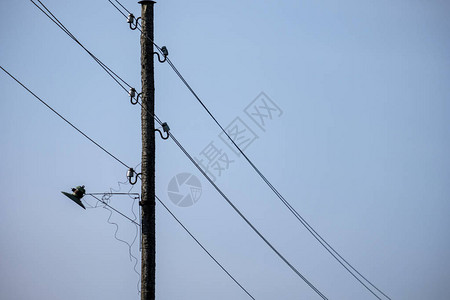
{"points": [[341, 260]]}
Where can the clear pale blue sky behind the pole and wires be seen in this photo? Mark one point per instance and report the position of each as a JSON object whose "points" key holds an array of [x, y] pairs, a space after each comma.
{"points": [[361, 149]]}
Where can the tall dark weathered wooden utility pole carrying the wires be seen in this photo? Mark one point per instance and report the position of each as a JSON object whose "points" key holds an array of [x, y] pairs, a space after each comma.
{"points": [[148, 269]]}
